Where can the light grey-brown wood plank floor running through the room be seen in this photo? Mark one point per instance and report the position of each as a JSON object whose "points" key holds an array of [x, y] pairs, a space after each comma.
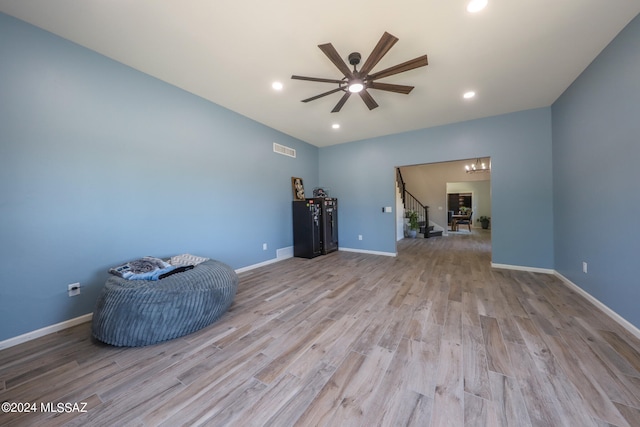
{"points": [[433, 337]]}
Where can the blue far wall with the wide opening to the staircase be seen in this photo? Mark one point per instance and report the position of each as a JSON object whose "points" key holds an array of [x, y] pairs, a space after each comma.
{"points": [[362, 176]]}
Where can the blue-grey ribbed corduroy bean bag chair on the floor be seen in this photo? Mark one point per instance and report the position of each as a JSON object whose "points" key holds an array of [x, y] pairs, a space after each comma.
{"points": [[135, 313]]}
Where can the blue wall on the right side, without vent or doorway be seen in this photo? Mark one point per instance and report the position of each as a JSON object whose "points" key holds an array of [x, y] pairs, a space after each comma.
{"points": [[596, 154]]}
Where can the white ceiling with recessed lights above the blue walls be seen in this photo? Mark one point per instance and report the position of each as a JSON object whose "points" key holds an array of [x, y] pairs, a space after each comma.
{"points": [[516, 54]]}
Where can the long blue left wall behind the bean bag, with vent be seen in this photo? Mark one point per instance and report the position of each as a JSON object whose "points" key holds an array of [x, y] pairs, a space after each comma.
{"points": [[100, 164]]}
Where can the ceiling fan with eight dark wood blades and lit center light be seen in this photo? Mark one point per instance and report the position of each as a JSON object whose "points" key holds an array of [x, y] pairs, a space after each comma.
{"points": [[359, 81]]}
